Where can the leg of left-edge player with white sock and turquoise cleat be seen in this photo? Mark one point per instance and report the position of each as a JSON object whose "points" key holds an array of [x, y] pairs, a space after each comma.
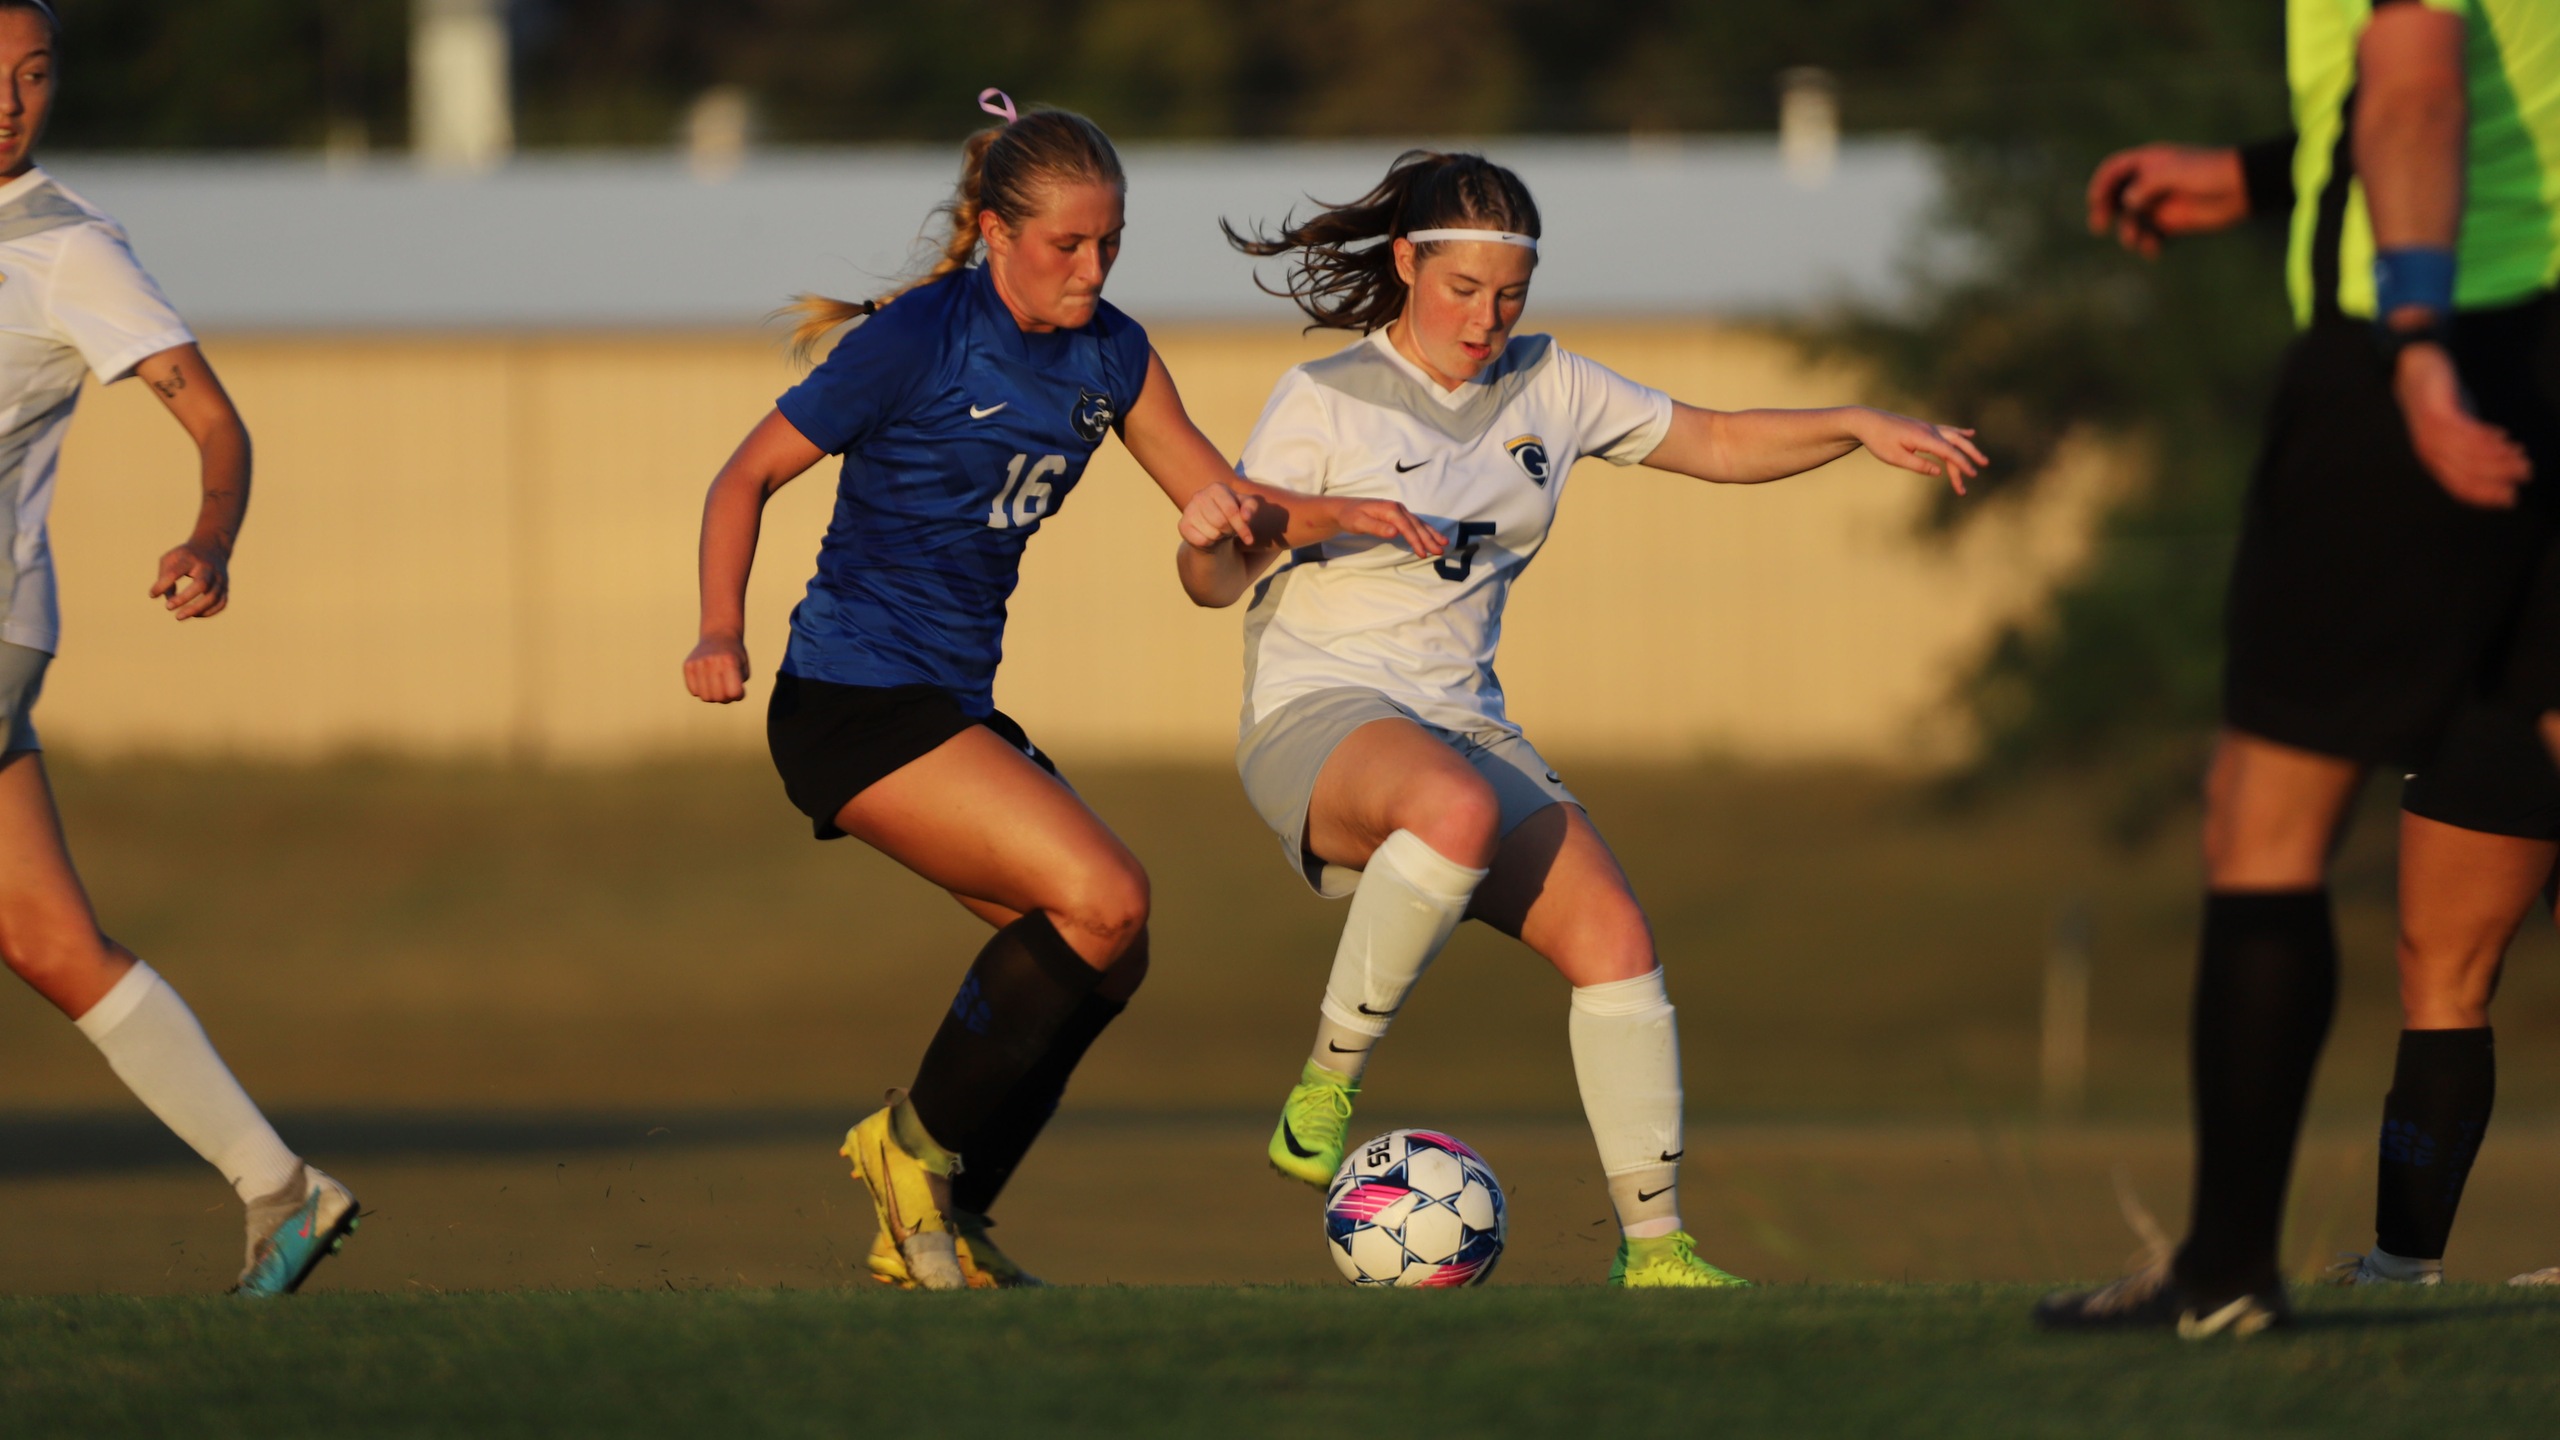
{"points": [[52, 942]]}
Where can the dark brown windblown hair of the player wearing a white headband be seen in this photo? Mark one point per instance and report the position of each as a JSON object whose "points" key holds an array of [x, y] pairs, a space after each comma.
{"points": [[1345, 258]]}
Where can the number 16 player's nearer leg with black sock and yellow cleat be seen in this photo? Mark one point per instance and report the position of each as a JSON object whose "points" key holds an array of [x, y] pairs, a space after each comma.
{"points": [[987, 824]]}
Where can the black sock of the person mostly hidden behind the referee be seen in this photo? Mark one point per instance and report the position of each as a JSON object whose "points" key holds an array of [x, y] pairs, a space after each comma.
{"points": [[2433, 1124]]}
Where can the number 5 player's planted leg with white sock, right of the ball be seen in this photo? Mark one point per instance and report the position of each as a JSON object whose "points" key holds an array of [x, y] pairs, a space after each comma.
{"points": [[1560, 890]]}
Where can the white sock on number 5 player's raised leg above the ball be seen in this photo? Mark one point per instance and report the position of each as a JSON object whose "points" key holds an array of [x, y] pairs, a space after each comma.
{"points": [[1404, 911]]}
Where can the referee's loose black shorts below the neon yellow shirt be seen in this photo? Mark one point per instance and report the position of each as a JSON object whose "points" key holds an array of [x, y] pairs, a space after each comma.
{"points": [[2369, 606]]}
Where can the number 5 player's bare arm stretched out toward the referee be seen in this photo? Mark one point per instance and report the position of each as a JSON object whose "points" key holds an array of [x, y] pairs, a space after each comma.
{"points": [[1752, 447]]}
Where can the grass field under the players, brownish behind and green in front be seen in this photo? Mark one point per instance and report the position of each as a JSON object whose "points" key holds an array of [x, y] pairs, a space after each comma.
{"points": [[585, 1042]]}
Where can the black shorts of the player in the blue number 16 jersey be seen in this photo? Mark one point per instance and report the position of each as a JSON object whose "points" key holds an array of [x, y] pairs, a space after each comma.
{"points": [[833, 742]]}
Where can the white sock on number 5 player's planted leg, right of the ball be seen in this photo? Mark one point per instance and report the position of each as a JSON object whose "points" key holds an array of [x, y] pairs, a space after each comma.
{"points": [[1627, 1057]]}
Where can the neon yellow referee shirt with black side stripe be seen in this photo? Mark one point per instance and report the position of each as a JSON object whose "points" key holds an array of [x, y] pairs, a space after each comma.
{"points": [[2510, 242]]}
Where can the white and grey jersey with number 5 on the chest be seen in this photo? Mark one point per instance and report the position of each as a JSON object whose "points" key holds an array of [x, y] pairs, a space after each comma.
{"points": [[1484, 465]]}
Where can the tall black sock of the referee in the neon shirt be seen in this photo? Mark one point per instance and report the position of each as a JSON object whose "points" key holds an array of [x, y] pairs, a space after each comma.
{"points": [[2267, 985]]}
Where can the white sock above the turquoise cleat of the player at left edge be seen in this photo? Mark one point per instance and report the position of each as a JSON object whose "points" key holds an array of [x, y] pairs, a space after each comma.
{"points": [[165, 1060]]}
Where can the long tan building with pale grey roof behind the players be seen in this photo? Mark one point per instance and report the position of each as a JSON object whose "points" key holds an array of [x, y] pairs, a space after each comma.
{"points": [[488, 409]]}
